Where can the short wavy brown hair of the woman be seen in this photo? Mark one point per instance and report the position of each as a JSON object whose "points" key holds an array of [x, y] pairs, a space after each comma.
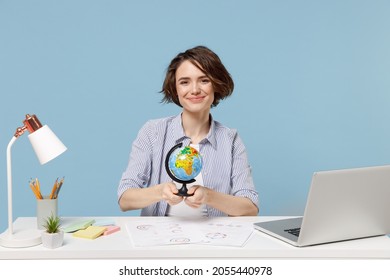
{"points": [[209, 63]]}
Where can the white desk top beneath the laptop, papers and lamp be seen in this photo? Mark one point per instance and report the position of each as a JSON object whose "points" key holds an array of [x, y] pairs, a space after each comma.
{"points": [[119, 246]]}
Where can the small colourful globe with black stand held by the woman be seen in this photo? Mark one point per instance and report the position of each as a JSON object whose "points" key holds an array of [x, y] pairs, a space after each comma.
{"points": [[183, 164]]}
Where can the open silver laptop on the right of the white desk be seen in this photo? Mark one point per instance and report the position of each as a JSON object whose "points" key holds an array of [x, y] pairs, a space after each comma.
{"points": [[342, 205]]}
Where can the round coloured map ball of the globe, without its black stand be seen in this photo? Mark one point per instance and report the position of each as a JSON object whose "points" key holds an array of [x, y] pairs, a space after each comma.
{"points": [[185, 163]]}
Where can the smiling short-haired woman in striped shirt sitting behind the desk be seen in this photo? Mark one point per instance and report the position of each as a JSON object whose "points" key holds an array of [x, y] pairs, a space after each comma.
{"points": [[196, 80]]}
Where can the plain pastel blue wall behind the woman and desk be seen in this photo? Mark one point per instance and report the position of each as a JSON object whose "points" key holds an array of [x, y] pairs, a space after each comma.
{"points": [[312, 89]]}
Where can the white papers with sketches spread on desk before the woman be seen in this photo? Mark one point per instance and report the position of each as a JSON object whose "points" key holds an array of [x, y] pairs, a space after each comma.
{"points": [[214, 231]]}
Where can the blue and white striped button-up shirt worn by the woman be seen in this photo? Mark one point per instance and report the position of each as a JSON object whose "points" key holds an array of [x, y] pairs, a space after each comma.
{"points": [[225, 163]]}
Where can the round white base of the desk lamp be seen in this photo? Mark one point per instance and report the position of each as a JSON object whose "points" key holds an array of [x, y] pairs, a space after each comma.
{"points": [[21, 239]]}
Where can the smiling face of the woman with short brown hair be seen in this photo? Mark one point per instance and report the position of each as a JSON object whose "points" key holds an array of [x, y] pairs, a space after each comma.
{"points": [[194, 89]]}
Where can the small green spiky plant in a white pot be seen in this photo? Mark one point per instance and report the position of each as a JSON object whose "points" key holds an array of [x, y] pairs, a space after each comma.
{"points": [[53, 236]]}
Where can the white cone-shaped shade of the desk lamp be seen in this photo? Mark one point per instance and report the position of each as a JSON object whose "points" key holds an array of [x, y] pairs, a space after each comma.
{"points": [[46, 144]]}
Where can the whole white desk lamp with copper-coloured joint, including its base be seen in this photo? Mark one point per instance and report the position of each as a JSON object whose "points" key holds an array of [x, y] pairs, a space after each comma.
{"points": [[47, 147]]}
